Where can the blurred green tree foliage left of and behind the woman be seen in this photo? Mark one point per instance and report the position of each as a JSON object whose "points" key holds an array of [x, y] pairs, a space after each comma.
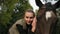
{"points": [[12, 10]]}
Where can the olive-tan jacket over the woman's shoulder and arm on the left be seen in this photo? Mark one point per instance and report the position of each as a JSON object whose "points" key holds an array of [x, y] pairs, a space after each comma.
{"points": [[14, 30]]}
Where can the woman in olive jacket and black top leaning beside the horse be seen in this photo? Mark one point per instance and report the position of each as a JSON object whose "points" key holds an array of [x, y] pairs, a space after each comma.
{"points": [[27, 25]]}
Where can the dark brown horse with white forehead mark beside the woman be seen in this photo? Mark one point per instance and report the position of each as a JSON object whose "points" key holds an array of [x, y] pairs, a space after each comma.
{"points": [[46, 17]]}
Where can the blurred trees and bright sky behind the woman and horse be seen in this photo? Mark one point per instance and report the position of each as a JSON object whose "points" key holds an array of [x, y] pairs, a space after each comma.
{"points": [[13, 10]]}
